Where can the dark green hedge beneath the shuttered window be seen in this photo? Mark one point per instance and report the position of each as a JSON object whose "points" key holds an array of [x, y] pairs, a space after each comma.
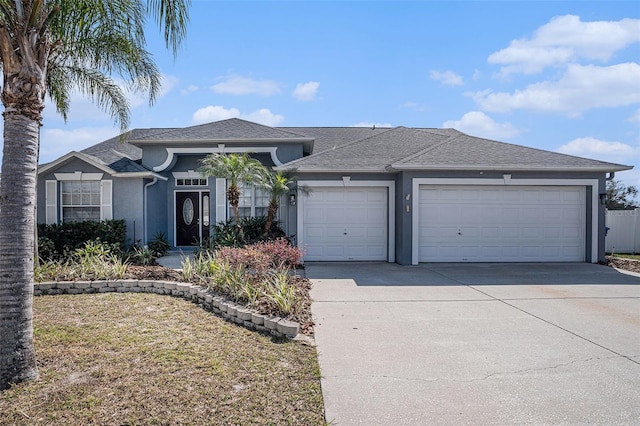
{"points": [[55, 242]]}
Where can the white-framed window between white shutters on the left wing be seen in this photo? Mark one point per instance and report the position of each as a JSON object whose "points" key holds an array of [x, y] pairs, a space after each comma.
{"points": [[80, 200]]}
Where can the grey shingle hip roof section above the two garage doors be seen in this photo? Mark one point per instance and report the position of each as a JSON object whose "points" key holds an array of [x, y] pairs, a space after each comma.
{"points": [[402, 148]]}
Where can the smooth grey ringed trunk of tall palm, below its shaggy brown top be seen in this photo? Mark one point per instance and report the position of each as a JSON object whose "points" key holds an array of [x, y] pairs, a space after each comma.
{"points": [[17, 240]]}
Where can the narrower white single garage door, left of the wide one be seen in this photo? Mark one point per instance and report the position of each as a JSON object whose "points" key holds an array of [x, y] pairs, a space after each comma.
{"points": [[345, 224]]}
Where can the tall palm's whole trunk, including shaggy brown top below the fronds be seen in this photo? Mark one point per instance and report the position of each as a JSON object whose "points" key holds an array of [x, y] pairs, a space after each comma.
{"points": [[24, 59]]}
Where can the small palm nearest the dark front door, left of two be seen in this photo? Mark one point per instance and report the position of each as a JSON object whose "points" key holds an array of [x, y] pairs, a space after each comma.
{"points": [[236, 169]]}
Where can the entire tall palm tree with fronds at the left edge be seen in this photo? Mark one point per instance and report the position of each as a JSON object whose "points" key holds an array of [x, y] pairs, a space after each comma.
{"points": [[53, 47]]}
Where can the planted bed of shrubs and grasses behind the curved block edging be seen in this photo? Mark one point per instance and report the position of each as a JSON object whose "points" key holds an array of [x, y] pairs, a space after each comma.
{"points": [[261, 276]]}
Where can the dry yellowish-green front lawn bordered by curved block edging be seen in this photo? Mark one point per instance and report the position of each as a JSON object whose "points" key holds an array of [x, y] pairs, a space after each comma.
{"points": [[141, 359]]}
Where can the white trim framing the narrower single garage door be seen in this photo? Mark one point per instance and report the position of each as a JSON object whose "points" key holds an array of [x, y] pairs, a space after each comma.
{"points": [[347, 182]]}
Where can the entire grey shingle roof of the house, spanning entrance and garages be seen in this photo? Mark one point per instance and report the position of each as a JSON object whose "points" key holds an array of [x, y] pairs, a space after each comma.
{"points": [[341, 149]]}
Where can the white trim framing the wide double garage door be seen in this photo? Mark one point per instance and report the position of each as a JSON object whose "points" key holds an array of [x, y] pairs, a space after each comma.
{"points": [[507, 180]]}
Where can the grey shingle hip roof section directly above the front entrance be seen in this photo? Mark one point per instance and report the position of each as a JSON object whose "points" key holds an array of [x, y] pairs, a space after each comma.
{"points": [[231, 129]]}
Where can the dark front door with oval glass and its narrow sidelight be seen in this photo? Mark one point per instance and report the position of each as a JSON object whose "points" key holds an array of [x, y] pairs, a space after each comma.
{"points": [[192, 217]]}
